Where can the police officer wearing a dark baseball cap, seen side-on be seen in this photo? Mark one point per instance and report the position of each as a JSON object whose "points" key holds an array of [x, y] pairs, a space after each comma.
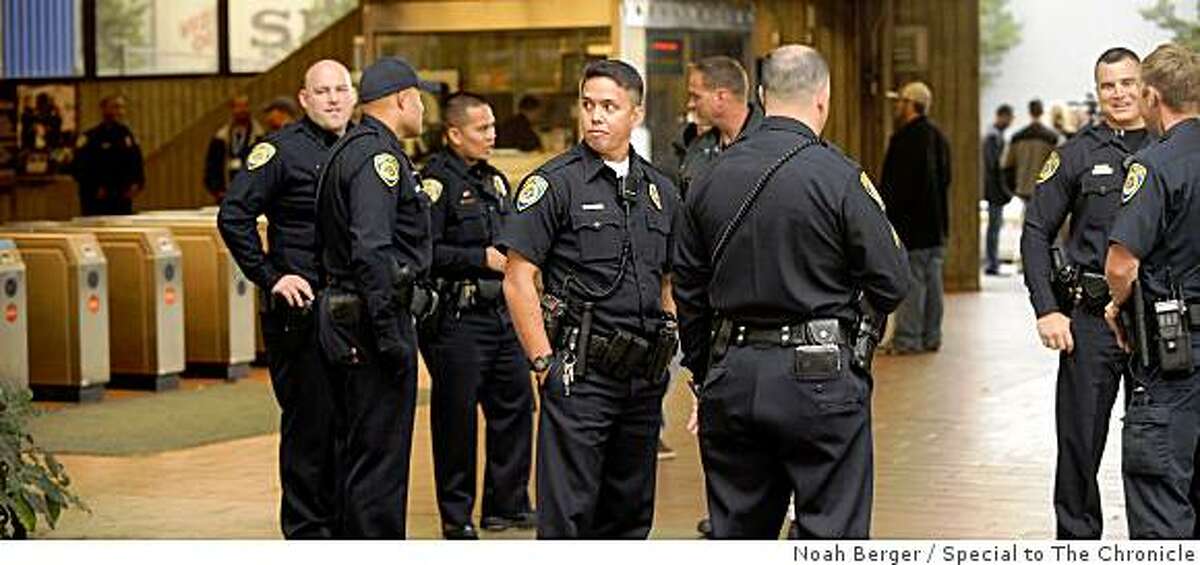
{"points": [[373, 229]]}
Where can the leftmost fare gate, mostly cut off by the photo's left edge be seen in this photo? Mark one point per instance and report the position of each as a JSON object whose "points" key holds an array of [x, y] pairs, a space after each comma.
{"points": [[14, 318]]}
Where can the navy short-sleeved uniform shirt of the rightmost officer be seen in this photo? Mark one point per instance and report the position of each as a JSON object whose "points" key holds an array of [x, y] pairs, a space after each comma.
{"points": [[1161, 211]]}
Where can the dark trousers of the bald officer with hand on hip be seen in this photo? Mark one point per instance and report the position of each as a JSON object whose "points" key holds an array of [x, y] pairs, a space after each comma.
{"points": [[308, 461]]}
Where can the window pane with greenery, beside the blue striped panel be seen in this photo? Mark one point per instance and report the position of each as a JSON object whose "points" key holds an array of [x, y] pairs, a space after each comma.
{"points": [[157, 38]]}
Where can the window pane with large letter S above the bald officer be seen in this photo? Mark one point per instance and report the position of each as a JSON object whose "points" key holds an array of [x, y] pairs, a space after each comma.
{"points": [[262, 33]]}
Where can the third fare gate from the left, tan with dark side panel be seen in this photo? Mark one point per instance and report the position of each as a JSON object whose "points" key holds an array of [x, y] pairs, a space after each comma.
{"points": [[146, 326]]}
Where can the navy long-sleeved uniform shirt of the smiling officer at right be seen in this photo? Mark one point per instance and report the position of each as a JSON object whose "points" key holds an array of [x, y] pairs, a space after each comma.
{"points": [[1083, 179]]}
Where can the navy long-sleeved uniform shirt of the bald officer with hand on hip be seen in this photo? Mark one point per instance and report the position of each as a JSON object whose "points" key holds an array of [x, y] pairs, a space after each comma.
{"points": [[280, 182]]}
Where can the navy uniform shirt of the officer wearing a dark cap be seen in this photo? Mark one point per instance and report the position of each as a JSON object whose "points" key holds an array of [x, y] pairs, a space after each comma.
{"points": [[373, 219]]}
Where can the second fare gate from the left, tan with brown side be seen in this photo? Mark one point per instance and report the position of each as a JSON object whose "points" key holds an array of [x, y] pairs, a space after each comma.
{"points": [[68, 302]]}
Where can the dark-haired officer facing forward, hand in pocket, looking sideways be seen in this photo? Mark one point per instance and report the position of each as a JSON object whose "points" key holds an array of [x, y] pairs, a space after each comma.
{"points": [[596, 223]]}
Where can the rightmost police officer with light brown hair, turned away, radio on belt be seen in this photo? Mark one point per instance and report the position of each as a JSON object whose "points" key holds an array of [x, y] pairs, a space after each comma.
{"points": [[1155, 242]]}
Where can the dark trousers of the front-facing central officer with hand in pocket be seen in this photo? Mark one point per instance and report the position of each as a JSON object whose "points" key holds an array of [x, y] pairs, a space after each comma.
{"points": [[598, 455]]}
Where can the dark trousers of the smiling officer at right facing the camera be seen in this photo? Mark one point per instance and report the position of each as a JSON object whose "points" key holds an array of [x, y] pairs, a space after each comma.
{"points": [[1088, 387]]}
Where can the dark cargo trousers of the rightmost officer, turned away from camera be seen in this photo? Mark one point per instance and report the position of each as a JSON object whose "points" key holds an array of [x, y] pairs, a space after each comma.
{"points": [[1161, 446]]}
